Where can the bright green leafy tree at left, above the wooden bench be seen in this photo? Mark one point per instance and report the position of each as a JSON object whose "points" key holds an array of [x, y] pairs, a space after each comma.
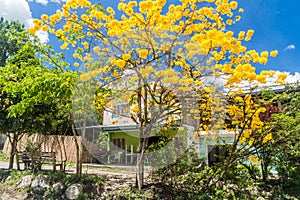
{"points": [[34, 98]]}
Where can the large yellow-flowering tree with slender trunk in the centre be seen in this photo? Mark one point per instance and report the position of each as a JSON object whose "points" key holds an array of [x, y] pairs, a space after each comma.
{"points": [[153, 54]]}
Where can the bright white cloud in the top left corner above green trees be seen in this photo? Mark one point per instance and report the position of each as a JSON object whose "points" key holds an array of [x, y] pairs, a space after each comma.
{"points": [[22, 13]]}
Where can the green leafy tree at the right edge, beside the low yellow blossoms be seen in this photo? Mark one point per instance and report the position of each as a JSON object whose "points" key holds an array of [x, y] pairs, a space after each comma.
{"points": [[284, 154]]}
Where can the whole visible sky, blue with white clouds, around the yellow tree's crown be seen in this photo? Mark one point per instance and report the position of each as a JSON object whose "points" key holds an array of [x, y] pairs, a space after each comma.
{"points": [[276, 24]]}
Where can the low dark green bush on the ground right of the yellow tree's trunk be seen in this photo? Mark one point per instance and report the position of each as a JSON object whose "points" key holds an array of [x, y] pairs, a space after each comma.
{"points": [[190, 178]]}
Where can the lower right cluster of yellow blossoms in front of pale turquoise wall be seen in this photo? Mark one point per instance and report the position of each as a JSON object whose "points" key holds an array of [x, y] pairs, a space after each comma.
{"points": [[245, 115]]}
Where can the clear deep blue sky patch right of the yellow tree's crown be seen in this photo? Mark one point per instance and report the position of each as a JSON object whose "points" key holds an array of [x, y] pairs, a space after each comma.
{"points": [[277, 26]]}
